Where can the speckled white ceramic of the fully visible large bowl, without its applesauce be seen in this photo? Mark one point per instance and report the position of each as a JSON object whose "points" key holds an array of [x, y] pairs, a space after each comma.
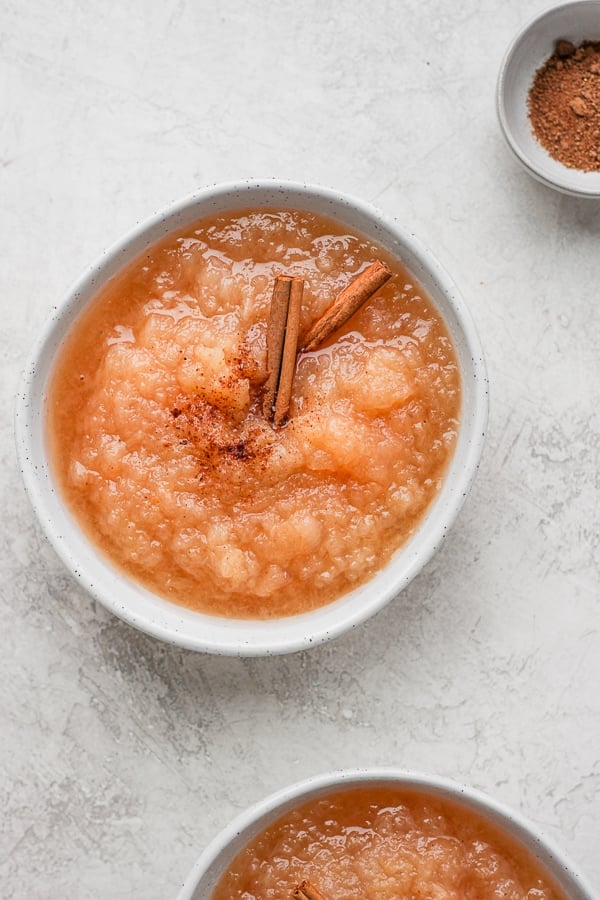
{"points": [[168, 621]]}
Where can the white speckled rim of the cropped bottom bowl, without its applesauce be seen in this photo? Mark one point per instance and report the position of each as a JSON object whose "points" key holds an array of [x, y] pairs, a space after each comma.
{"points": [[217, 856]]}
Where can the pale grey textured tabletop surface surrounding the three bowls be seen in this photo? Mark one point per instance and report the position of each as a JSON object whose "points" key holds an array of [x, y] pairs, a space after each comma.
{"points": [[119, 756]]}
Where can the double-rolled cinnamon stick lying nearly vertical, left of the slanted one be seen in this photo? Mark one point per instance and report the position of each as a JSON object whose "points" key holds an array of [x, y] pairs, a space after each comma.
{"points": [[282, 346]]}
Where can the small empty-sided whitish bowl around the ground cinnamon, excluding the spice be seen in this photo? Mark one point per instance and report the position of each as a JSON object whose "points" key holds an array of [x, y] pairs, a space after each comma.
{"points": [[530, 49]]}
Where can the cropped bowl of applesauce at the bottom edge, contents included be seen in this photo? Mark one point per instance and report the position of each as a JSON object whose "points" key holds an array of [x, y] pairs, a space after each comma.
{"points": [[385, 834]]}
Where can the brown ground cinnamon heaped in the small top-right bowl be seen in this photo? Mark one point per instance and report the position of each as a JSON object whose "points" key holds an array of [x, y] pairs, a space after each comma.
{"points": [[564, 105]]}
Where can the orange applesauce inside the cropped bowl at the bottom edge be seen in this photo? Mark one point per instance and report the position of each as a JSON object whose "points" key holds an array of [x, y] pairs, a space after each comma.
{"points": [[385, 844]]}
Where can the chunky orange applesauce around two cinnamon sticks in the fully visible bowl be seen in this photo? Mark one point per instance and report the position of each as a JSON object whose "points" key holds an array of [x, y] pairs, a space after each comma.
{"points": [[163, 454]]}
